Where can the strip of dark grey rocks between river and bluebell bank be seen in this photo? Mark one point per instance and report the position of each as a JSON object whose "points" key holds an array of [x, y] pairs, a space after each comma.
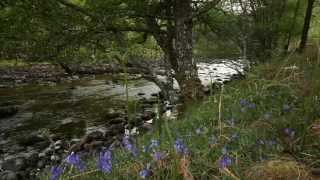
{"points": [[26, 156]]}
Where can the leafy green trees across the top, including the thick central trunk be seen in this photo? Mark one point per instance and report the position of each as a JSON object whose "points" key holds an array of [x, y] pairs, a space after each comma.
{"points": [[69, 30]]}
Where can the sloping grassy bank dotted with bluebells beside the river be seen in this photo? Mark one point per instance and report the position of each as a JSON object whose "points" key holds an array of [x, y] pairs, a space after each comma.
{"points": [[265, 126]]}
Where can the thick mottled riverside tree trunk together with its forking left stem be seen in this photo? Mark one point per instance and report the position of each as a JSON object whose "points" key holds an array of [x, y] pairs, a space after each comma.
{"points": [[177, 44]]}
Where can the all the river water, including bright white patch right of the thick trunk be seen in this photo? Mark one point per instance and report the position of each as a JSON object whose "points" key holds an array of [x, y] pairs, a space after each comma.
{"points": [[71, 108]]}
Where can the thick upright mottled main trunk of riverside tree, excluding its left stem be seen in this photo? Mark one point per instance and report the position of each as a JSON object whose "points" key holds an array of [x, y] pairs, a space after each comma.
{"points": [[186, 72]]}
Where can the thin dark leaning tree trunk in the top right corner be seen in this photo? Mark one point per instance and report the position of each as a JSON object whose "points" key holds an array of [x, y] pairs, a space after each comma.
{"points": [[306, 26]]}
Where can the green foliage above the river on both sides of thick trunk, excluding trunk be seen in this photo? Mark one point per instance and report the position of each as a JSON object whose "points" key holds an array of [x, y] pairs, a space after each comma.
{"points": [[87, 31]]}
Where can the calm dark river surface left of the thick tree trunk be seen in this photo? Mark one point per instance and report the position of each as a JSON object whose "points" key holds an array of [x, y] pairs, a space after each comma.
{"points": [[86, 101]]}
